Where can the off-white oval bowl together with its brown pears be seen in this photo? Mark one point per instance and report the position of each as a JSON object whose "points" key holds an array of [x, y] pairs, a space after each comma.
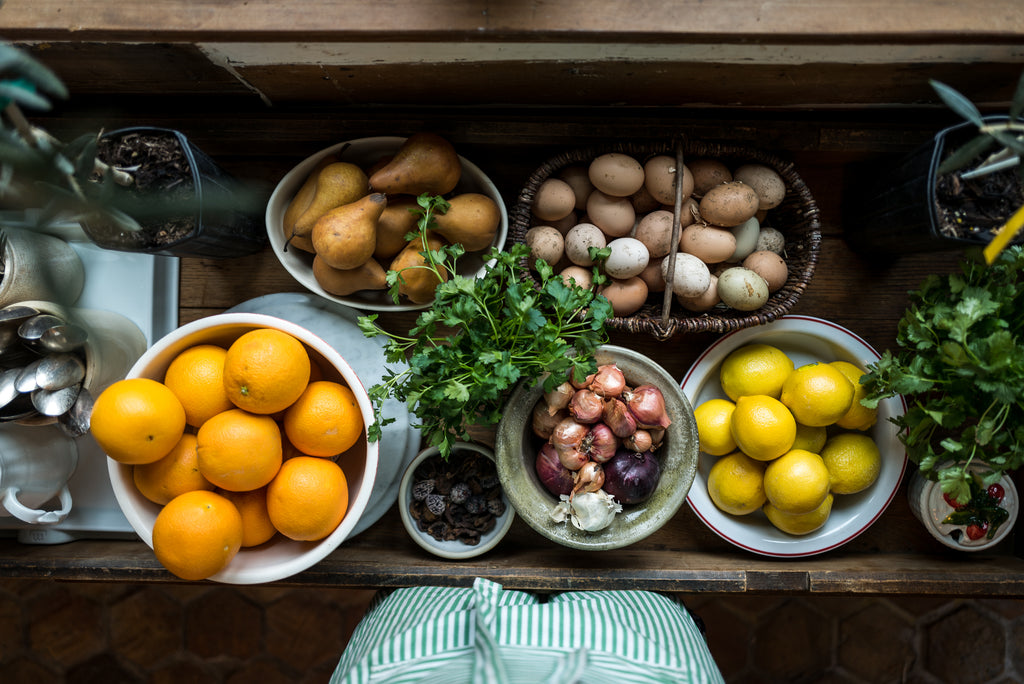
{"points": [[338, 221]]}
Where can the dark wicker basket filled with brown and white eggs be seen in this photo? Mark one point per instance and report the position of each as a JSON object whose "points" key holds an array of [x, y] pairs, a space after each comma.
{"points": [[733, 245]]}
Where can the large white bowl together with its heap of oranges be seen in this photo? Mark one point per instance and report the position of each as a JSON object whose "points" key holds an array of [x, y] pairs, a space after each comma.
{"points": [[238, 449]]}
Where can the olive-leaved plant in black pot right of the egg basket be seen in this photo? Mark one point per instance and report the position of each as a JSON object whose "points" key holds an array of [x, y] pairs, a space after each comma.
{"points": [[954, 193]]}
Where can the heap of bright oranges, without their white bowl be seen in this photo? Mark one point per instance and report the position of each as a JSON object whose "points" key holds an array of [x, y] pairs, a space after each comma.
{"points": [[237, 446]]}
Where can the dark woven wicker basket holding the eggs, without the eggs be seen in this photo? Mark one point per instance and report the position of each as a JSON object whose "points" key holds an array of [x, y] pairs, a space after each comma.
{"points": [[797, 219]]}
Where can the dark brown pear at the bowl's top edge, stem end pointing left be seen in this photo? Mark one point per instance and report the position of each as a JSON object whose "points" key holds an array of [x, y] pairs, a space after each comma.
{"points": [[425, 163]]}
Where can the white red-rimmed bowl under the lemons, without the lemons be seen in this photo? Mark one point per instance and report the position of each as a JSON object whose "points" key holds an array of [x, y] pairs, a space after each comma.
{"points": [[804, 339]]}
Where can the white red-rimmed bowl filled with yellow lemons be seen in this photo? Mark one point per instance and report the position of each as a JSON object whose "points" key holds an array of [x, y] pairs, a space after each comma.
{"points": [[792, 464]]}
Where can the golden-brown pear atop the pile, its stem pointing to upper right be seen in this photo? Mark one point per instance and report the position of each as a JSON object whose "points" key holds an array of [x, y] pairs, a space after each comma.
{"points": [[345, 238]]}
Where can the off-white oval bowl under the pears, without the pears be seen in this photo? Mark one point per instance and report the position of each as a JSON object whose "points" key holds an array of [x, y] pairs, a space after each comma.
{"points": [[364, 152]]}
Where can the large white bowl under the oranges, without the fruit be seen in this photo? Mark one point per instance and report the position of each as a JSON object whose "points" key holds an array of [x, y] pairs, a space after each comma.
{"points": [[280, 558]]}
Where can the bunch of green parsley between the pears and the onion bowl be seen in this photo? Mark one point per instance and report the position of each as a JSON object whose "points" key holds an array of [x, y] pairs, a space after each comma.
{"points": [[482, 336]]}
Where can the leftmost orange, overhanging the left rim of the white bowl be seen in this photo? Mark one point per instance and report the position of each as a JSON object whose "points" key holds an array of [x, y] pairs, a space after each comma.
{"points": [[138, 421]]}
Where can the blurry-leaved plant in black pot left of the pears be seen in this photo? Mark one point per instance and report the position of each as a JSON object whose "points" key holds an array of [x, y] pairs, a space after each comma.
{"points": [[145, 190]]}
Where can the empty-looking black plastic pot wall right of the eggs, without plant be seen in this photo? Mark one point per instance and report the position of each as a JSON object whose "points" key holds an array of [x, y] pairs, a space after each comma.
{"points": [[894, 212]]}
